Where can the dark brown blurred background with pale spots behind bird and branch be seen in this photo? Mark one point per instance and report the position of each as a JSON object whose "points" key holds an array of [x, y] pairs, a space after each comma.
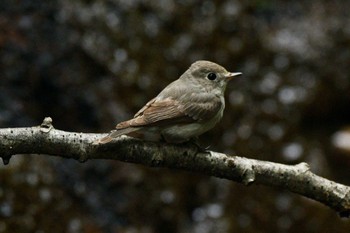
{"points": [[91, 64]]}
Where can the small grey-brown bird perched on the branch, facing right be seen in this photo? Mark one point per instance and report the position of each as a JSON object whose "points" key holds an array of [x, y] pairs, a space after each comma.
{"points": [[183, 110]]}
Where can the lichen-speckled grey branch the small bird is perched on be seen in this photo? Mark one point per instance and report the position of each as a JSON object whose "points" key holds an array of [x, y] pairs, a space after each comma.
{"points": [[44, 139]]}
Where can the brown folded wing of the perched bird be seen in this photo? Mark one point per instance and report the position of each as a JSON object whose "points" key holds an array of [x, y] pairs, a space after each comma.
{"points": [[162, 112]]}
